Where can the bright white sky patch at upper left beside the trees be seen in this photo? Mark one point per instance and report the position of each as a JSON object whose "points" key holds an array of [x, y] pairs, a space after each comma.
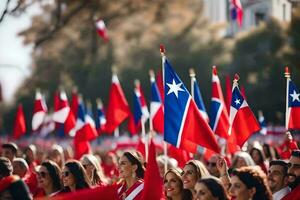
{"points": [[15, 58]]}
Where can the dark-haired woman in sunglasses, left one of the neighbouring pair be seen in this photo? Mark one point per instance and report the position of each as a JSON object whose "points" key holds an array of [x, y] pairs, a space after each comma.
{"points": [[48, 176]]}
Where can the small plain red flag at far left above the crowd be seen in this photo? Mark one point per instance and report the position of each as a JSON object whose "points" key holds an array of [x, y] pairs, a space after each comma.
{"points": [[19, 128]]}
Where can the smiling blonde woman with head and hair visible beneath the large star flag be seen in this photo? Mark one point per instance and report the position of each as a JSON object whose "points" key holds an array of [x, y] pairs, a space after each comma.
{"points": [[192, 172]]}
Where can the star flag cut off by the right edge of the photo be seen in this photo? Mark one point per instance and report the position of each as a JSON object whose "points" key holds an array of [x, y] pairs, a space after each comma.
{"points": [[293, 112]]}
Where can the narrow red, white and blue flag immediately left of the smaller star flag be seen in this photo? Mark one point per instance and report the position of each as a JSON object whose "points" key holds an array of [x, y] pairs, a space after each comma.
{"points": [[219, 121]]}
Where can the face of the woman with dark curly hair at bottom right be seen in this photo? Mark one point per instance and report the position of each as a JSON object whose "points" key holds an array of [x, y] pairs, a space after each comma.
{"points": [[238, 189]]}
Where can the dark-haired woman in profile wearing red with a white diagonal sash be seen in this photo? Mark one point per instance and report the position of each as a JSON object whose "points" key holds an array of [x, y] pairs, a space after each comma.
{"points": [[131, 171]]}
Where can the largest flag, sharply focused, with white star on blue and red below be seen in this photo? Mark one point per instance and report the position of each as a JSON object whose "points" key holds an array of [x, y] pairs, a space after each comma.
{"points": [[184, 125]]}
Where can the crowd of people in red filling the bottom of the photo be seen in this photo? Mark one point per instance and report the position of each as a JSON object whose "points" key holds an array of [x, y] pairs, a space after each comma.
{"points": [[257, 173]]}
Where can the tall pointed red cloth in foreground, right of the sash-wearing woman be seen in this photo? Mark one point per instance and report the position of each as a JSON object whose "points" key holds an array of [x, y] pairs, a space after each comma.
{"points": [[153, 183]]}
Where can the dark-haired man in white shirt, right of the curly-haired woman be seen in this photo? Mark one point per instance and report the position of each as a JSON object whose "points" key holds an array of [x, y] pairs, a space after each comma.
{"points": [[278, 179]]}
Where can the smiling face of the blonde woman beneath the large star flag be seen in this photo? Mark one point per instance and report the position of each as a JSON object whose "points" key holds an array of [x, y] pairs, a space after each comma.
{"points": [[189, 177]]}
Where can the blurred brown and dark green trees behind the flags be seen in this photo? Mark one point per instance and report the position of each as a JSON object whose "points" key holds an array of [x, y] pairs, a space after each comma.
{"points": [[69, 53]]}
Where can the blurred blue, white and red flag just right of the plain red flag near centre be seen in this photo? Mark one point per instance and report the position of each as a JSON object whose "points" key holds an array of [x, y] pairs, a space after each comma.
{"points": [[140, 110]]}
